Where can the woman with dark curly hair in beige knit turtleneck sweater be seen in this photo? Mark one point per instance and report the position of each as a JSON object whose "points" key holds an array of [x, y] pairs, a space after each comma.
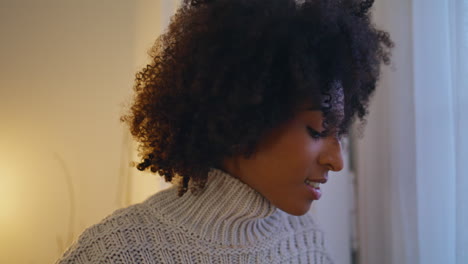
{"points": [[242, 108]]}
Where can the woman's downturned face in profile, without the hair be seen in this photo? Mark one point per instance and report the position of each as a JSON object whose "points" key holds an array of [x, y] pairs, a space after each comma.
{"points": [[289, 160]]}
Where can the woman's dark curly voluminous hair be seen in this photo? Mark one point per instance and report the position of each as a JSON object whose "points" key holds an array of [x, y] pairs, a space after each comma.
{"points": [[228, 71]]}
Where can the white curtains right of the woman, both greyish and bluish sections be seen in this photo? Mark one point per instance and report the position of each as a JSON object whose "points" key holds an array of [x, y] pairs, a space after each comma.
{"points": [[412, 164]]}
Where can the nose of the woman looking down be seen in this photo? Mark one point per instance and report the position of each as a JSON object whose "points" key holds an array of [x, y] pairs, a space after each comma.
{"points": [[331, 155]]}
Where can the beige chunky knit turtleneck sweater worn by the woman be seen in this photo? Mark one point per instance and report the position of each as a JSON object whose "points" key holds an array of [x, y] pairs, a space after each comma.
{"points": [[227, 222]]}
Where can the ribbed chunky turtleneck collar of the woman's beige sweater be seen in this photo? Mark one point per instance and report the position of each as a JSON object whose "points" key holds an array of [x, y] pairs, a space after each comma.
{"points": [[226, 211]]}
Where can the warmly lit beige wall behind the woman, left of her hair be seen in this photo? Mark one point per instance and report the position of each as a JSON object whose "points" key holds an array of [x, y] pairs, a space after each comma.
{"points": [[66, 72]]}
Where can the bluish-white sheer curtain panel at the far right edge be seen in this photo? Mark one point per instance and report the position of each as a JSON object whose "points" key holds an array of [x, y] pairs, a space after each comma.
{"points": [[441, 108]]}
